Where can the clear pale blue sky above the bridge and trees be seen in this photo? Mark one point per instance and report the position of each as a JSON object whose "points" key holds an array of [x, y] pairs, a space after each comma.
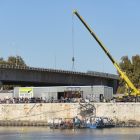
{"points": [[46, 34]]}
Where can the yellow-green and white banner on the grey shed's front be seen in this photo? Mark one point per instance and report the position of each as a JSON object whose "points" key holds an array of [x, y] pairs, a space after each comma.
{"points": [[26, 92]]}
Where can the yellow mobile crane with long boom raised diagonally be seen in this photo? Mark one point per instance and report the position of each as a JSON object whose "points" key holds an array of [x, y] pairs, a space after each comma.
{"points": [[133, 91]]}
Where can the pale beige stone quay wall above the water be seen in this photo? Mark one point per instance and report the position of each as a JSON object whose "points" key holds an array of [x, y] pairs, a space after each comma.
{"points": [[40, 112]]}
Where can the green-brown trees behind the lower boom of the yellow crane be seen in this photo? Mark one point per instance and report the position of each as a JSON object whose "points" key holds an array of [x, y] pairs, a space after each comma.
{"points": [[132, 70]]}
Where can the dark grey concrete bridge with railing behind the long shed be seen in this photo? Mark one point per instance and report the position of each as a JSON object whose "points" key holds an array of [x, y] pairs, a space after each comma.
{"points": [[30, 76]]}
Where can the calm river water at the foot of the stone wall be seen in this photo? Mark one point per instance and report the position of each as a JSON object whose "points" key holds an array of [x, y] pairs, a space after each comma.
{"points": [[42, 133]]}
